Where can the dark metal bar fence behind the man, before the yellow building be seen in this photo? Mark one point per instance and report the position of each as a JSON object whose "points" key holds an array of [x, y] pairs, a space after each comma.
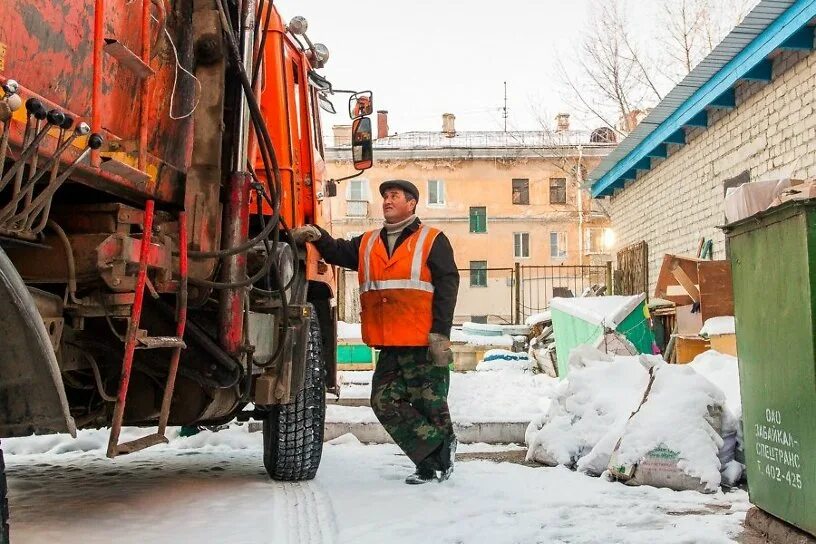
{"points": [[498, 295]]}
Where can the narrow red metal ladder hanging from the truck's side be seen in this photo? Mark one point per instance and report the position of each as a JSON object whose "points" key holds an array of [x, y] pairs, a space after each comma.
{"points": [[136, 338]]}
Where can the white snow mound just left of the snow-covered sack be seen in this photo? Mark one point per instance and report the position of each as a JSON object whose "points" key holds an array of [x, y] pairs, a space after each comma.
{"points": [[600, 394]]}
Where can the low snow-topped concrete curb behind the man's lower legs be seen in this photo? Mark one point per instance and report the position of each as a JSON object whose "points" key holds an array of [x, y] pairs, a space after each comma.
{"points": [[487, 433]]}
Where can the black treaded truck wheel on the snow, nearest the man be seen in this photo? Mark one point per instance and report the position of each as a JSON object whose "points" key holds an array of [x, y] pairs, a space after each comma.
{"points": [[293, 433]]}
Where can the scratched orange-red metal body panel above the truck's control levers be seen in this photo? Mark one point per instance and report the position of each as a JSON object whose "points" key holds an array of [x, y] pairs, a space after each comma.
{"points": [[49, 48]]}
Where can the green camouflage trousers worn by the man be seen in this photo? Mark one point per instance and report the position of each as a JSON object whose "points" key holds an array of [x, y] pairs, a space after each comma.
{"points": [[409, 395]]}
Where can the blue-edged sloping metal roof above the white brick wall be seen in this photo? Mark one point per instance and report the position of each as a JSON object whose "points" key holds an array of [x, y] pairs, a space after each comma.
{"points": [[742, 55]]}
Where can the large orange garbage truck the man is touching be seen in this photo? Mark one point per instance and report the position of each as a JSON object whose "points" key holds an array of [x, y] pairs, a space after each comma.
{"points": [[154, 156]]}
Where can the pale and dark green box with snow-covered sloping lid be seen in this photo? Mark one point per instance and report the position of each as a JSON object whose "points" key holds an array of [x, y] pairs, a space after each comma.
{"points": [[600, 321]]}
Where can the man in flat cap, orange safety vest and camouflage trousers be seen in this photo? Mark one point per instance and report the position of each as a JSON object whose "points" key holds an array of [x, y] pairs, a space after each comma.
{"points": [[408, 288]]}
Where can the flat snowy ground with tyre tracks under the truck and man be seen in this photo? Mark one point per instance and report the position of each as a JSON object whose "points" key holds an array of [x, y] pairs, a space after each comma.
{"points": [[220, 493]]}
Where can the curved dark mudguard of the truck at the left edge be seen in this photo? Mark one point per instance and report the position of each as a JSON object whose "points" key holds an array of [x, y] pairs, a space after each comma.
{"points": [[32, 395]]}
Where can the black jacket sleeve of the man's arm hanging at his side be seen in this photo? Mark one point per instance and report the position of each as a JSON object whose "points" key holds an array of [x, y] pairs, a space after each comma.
{"points": [[445, 279]]}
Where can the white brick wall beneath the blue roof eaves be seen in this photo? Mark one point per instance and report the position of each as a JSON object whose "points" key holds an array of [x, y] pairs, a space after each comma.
{"points": [[679, 201]]}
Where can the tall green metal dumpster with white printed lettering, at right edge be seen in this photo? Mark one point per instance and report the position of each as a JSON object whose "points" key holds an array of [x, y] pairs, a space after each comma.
{"points": [[773, 263]]}
